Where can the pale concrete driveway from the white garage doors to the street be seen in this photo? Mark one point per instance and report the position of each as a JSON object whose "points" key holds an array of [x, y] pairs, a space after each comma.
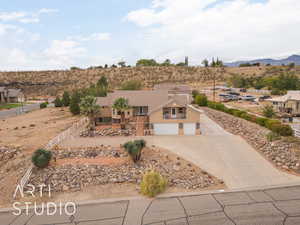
{"points": [[226, 156]]}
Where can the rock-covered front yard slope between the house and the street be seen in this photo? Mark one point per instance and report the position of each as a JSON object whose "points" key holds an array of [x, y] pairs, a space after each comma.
{"points": [[70, 177]]}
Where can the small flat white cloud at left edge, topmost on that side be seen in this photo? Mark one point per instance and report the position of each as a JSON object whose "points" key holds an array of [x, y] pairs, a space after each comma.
{"points": [[25, 17]]}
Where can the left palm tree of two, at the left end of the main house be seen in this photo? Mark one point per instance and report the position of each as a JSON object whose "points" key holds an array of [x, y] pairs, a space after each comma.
{"points": [[89, 108]]}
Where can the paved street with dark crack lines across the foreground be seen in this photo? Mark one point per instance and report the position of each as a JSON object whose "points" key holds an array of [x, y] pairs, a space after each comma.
{"points": [[265, 206]]}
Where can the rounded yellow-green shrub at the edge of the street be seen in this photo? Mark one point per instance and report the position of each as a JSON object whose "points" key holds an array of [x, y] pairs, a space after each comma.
{"points": [[153, 183]]}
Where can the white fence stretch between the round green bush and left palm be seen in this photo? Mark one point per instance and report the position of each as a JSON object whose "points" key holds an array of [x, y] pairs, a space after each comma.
{"points": [[76, 129]]}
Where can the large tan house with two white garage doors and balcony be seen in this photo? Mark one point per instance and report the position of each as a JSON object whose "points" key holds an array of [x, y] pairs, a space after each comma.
{"points": [[152, 112]]}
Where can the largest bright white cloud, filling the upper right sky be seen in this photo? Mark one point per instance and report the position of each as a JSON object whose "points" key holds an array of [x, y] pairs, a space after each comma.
{"points": [[229, 29]]}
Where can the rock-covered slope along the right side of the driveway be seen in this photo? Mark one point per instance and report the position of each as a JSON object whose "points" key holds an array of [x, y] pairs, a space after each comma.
{"points": [[280, 152]]}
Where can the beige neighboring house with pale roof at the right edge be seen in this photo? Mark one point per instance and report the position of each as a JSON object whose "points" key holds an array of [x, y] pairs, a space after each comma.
{"points": [[289, 103]]}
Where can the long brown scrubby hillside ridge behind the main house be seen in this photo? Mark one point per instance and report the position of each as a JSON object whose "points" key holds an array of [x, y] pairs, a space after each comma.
{"points": [[37, 83]]}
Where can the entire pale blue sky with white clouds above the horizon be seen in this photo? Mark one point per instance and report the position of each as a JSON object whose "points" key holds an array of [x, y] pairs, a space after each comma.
{"points": [[58, 34]]}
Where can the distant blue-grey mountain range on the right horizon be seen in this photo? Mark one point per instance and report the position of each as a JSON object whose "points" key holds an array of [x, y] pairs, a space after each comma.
{"points": [[291, 59]]}
